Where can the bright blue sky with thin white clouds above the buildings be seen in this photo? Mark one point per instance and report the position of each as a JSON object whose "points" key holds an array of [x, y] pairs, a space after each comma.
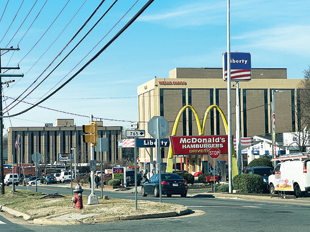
{"points": [[169, 34]]}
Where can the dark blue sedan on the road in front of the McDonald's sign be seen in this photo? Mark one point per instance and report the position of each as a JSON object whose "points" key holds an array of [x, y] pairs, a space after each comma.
{"points": [[171, 184]]}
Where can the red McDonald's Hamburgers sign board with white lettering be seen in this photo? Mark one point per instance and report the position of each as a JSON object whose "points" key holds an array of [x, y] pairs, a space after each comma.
{"points": [[195, 145]]}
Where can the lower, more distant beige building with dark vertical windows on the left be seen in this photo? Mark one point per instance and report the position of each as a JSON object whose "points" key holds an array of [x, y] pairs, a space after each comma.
{"points": [[51, 140]]}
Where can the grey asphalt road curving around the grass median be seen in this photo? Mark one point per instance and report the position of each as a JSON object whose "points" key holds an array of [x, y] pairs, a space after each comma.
{"points": [[209, 214]]}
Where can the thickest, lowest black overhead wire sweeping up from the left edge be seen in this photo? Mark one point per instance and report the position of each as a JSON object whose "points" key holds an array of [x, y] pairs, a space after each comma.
{"points": [[90, 61]]}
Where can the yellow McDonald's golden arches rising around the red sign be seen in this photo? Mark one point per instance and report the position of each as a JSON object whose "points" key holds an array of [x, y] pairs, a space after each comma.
{"points": [[201, 132]]}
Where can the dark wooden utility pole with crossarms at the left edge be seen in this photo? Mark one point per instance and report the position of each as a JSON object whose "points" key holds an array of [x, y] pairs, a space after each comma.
{"points": [[1, 111]]}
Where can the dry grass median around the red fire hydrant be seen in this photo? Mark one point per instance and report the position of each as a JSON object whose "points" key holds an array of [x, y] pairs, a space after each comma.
{"points": [[38, 205]]}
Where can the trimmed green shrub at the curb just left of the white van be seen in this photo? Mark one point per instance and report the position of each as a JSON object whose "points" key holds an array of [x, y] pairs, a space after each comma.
{"points": [[248, 183]]}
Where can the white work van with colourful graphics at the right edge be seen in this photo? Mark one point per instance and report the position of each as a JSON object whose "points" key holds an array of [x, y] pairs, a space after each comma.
{"points": [[292, 174]]}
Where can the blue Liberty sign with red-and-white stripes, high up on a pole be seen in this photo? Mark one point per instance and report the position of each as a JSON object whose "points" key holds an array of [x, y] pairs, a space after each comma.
{"points": [[240, 66]]}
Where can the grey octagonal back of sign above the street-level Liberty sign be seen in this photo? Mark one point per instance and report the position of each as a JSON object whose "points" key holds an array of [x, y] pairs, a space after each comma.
{"points": [[158, 127]]}
